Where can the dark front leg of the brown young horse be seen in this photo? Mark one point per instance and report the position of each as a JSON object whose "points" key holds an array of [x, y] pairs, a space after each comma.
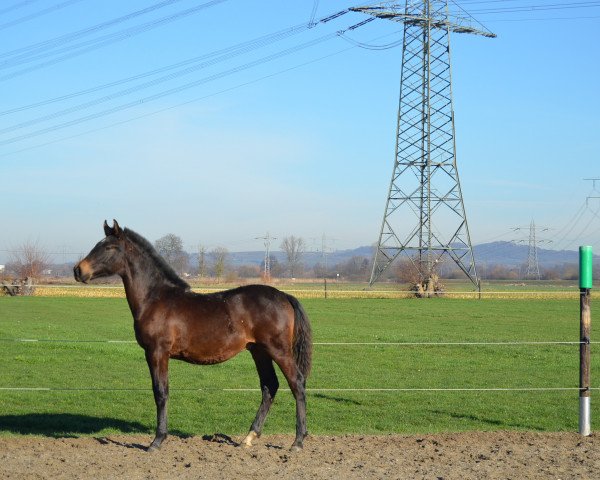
{"points": [[158, 362]]}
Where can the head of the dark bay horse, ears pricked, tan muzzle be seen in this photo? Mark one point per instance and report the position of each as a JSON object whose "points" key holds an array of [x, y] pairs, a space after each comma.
{"points": [[106, 258]]}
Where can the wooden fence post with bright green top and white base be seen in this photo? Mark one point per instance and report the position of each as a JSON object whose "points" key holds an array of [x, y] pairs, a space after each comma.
{"points": [[585, 320]]}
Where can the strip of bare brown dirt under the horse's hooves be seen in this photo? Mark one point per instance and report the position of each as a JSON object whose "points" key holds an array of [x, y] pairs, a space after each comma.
{"points": [[499, 455]]}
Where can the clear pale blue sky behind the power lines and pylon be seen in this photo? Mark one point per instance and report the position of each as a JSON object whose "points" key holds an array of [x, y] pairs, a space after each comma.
{"points": [[302, 144]]}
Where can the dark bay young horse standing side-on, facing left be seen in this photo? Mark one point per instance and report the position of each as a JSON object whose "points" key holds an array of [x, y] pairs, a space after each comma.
{"points": [[170, 321]]}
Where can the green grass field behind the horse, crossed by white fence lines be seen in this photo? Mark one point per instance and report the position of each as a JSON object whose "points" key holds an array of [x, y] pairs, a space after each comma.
{"points": [[72, 366]]}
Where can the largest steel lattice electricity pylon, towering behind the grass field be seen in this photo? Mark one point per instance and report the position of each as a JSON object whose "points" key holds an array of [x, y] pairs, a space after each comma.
{"points": [[424, 213]]}
